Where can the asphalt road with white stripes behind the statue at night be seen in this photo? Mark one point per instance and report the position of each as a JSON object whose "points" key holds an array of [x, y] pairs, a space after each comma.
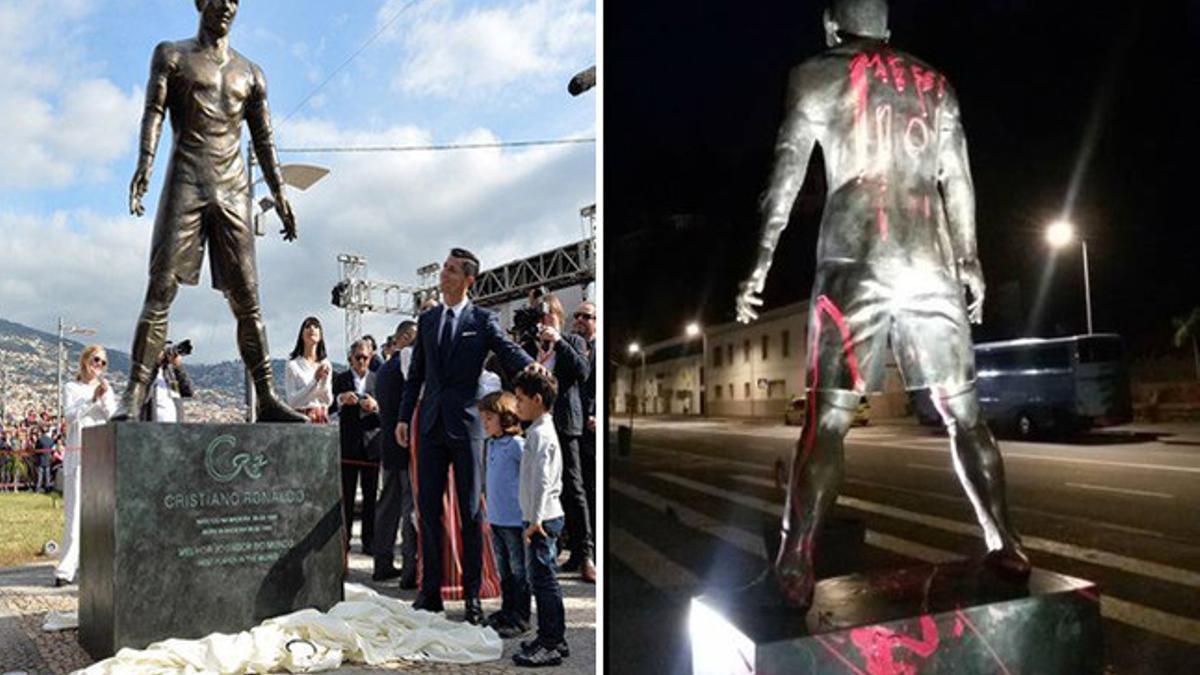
{"points": [[687, 511]]}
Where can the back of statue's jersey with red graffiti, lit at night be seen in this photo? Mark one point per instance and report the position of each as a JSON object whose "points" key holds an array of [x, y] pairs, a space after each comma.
{"points": [[883, 120]]}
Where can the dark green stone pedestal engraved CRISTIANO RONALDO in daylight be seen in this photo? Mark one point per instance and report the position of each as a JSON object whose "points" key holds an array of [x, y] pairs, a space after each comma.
{"points": [[193, 529]]}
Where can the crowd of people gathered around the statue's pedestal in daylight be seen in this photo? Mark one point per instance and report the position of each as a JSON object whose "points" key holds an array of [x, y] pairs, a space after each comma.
{"points": [[452, 410]]}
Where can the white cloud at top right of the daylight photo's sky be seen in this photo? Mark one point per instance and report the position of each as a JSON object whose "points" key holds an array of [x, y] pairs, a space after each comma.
{"points": [[476, 53]]}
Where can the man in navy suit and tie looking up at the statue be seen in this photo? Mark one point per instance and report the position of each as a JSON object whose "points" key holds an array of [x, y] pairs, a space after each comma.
{"points": [[453, 342]]}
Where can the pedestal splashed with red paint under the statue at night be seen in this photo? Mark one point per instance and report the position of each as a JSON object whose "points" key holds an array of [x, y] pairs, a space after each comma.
{"points": [[952, 618]]}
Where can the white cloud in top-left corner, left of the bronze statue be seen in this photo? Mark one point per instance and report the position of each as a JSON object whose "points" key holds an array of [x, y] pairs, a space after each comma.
{"points": [[59, 127]]}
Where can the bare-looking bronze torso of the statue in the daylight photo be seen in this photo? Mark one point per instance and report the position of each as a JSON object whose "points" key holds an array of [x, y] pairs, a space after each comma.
{"points": [[208, 103]]}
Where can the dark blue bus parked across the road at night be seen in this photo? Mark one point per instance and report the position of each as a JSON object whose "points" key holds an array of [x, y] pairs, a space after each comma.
{"points": [[1058, 385]]}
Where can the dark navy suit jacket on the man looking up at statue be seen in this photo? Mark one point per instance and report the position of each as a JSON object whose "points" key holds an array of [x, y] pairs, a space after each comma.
{"points": [[451, 385]]}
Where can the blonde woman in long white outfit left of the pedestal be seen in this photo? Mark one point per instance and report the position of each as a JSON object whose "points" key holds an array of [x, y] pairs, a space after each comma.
{"points": [[88, 402]]}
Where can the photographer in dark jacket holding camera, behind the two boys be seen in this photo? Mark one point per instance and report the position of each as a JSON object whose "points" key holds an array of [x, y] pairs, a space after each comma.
{"points": [[566, 355]]}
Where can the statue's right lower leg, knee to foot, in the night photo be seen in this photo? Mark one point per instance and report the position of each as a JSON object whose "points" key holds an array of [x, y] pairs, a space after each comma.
{"points": [[981, 470]]}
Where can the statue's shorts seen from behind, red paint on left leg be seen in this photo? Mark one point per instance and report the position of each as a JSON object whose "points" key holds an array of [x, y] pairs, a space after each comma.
{"points": [[857, 309]]}
